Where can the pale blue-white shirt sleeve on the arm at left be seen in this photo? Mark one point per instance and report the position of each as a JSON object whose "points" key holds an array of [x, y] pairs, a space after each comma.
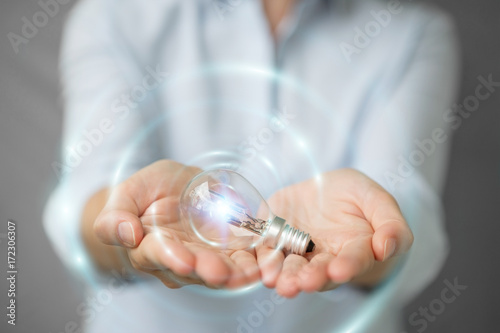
{"points": [[108, 99]]}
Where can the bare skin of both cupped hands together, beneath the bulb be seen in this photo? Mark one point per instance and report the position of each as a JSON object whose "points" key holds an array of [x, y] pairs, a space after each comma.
{"points": [[350, 217]]}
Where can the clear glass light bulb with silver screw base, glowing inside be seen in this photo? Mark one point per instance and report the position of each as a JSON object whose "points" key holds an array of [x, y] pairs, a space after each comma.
{"points": [[221, 208]]}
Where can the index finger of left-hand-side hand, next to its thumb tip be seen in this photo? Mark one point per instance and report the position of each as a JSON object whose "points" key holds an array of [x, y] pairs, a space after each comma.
{"points": [[158, 252]]}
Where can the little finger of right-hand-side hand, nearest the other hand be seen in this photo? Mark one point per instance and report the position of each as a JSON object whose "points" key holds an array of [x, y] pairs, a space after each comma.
{"points": [[270, 262]]}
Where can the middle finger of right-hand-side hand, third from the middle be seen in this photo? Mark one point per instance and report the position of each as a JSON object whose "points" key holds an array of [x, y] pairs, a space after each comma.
{"points": [[314, 276]]}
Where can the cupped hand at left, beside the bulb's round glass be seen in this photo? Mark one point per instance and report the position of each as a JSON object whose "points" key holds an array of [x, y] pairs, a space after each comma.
{"points": [[142, 215]]}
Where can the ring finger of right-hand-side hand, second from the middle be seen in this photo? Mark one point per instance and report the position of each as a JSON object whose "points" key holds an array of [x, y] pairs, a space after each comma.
{"points": [[288, 284]]}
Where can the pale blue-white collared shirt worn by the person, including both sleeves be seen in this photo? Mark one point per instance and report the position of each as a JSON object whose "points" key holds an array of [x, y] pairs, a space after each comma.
{"points": [[361, 84]]}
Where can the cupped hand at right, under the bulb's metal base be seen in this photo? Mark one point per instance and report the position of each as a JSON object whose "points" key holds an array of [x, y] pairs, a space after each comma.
{"points": [[354, 222]]}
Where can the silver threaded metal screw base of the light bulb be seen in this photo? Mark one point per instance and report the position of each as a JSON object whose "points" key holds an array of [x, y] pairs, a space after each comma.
{"points": [[281, 235]]}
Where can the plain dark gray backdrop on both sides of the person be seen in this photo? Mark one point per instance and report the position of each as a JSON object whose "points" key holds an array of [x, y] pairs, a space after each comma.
{"points": [[30, 124]]}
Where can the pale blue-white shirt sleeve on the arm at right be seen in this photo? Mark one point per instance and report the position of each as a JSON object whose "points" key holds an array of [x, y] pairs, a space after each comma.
{"points": [[403, 140]]}
